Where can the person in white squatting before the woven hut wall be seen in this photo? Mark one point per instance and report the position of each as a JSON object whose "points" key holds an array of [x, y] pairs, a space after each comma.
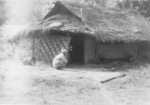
{"points": [[60, 60]]}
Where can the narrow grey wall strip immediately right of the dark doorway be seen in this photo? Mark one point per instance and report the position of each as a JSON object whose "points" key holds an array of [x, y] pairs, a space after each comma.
{"points": [[89, 49]]}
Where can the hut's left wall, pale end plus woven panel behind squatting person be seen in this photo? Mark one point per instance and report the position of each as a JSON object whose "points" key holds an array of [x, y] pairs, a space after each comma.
{"points": [[46, 47]]}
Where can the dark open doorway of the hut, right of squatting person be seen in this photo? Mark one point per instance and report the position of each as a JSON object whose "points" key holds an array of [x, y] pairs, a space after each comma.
{"points": [[77, 49]]}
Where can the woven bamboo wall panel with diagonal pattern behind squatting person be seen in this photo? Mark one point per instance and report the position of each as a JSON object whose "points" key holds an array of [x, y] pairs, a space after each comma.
{"points": [[48, 46]]}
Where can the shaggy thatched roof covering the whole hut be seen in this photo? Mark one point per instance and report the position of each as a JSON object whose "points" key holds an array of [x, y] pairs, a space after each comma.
{"points": [[106, 24]]}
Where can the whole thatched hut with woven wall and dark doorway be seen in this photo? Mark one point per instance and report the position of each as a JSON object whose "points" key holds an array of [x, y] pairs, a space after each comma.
{"points": [[90, 32]]}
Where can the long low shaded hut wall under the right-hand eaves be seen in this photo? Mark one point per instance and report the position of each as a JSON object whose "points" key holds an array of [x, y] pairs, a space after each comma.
{"points": [[135, 50]]}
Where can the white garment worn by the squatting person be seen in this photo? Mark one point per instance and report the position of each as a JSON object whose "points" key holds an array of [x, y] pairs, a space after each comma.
{"points": [[59, 61]]}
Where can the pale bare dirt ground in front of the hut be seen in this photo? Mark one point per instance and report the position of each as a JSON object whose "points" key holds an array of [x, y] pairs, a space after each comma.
{"points": [[43, 85]]}
